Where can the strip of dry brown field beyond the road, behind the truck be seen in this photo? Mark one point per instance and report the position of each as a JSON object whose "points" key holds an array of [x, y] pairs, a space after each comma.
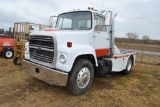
{"points": [[146, 47]]}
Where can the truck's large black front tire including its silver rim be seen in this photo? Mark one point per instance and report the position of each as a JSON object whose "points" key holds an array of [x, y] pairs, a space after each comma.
{"points": [[80, 71]]}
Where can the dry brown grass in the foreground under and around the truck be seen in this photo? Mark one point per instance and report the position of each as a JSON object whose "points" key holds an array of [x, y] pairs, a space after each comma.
{"points": [[141, 88]]}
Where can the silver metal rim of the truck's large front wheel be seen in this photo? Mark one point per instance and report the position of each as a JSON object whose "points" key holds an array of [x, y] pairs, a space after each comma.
{"points": [[83, 77]]}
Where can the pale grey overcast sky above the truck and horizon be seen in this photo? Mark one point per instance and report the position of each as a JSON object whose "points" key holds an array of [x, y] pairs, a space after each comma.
{"points": [[139, 16]]}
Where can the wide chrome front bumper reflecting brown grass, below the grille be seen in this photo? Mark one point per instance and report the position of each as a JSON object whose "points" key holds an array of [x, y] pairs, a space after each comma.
{"points": [[45, 74]]}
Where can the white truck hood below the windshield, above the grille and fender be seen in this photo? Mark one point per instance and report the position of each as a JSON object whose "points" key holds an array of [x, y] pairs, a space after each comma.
{"points": [[82, 37]]}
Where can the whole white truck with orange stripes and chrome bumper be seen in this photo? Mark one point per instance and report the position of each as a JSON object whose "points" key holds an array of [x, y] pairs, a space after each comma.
{"points": [[80, 47]]}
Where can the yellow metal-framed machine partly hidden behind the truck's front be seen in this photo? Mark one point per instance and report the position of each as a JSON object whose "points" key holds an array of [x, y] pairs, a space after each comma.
{"points": [[21, 36]]}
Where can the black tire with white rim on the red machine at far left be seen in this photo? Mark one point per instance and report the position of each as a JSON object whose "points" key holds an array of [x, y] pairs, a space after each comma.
{"points": [[8, 53]]}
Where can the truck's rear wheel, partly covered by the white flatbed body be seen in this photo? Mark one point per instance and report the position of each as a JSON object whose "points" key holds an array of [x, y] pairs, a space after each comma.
{"points": [[128, 66]]}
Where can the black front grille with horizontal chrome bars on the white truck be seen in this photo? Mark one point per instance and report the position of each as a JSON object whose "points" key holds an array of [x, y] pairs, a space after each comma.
{"points": [[41, 48]]}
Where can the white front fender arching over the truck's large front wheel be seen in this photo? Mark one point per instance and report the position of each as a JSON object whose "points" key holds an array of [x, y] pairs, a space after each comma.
{"points": [[71, 55]]}
